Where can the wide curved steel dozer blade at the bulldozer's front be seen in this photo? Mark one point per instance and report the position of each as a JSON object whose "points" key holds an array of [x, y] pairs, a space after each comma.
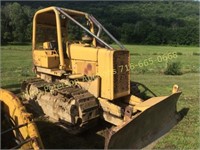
{"points": [[158, 115]]}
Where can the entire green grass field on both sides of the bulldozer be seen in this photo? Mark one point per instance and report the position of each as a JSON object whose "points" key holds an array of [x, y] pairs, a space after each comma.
{"points": [[16, 65]]}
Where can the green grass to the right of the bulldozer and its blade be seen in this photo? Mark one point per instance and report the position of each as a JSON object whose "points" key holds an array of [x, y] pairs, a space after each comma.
{"points": [[186, 134]]}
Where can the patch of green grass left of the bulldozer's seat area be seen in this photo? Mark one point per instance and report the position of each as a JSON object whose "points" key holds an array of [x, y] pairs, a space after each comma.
{"points": [[16, 65]]}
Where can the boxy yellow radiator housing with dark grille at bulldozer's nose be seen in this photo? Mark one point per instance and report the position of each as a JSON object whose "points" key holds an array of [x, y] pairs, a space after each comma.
{"points": [[114, 72]]}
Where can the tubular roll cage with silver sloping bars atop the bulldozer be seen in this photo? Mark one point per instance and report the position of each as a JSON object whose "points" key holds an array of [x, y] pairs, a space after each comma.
{"points": [[66, 13]]}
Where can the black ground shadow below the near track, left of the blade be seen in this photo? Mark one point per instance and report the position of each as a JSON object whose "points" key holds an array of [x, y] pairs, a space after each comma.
{"points": [[55, 137]]}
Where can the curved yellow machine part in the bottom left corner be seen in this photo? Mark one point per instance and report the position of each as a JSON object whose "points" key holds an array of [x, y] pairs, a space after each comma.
{"points": [[13, 108]]}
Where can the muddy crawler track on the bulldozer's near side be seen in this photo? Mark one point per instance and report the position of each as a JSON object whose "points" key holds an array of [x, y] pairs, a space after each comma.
{"points": [[72, 106]]}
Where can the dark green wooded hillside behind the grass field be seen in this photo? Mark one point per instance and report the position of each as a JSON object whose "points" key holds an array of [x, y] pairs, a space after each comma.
{"points": [[159, 22]]}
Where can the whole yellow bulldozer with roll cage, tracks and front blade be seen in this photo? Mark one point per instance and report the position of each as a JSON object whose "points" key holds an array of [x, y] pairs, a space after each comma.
{"points": [[81, 79]]}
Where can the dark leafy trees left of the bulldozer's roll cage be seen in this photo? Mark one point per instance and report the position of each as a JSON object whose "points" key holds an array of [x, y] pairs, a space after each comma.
{"points": [[16, 22]]}
